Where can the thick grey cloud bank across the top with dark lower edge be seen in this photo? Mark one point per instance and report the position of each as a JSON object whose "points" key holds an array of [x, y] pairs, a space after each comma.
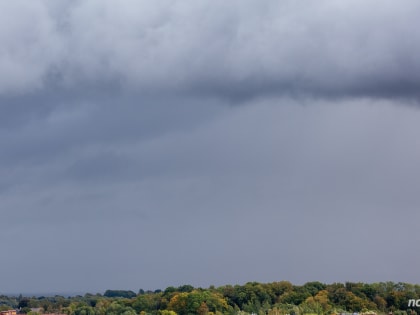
{"points": [[235, 49]]}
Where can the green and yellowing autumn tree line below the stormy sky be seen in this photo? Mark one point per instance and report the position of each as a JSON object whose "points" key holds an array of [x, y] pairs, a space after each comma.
{"points": [[276, 298]]}
